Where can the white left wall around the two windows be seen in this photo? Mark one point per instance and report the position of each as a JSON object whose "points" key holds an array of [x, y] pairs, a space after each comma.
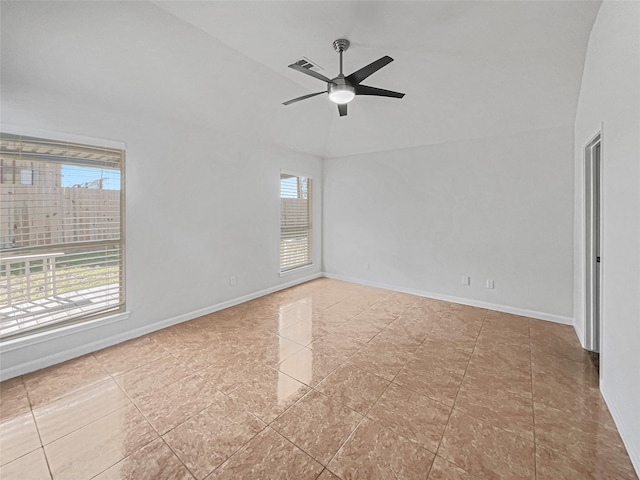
{"points": [[201, 207]]}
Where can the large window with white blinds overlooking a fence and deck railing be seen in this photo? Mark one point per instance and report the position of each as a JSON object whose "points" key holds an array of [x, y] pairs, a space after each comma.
{"points": [[61, 233]]}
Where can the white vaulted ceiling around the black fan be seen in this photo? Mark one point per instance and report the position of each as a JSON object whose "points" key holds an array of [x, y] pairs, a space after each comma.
{"points": [[469, 69]]}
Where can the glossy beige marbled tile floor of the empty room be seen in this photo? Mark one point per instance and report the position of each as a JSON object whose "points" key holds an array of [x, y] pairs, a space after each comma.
{"points": [[326, 380]]}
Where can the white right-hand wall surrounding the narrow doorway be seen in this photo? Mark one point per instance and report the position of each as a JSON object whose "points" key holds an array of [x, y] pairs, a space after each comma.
{"points": [[610, 98]]}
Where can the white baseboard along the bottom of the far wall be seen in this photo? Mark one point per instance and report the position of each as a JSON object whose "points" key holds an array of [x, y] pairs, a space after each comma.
{"points": [[463, 301]]}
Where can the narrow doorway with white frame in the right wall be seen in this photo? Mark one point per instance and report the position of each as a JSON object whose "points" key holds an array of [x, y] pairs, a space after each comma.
{"points": [[593, 241]]}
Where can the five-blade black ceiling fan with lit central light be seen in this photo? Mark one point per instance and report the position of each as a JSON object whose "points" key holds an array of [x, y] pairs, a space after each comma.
{"points": [[343, 89]]}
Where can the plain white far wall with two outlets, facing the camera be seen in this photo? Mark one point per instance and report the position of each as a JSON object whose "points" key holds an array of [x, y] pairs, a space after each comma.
{"points": [[497, 208]]}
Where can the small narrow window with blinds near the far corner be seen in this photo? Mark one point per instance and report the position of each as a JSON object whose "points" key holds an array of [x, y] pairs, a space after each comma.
{"points": [[295, 221]]}
